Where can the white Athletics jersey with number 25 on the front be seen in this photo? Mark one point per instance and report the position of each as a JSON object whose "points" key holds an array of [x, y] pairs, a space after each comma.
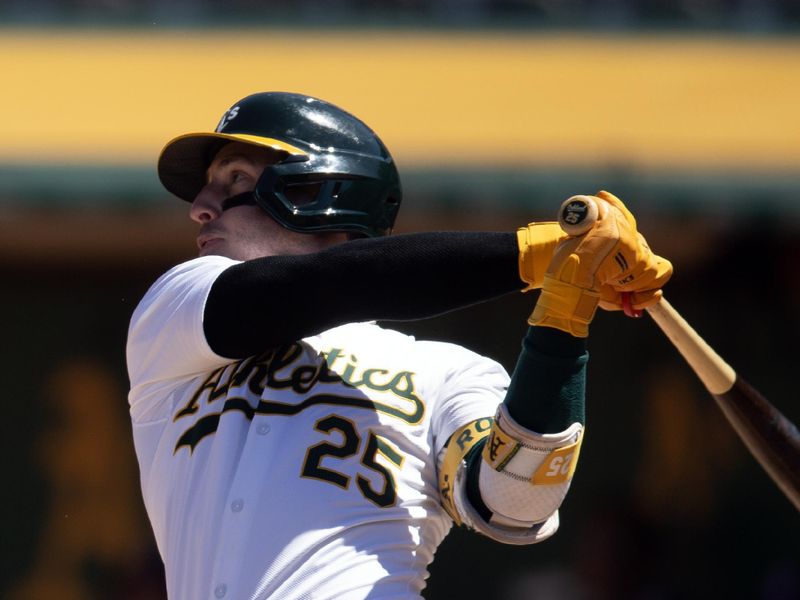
{"points": [[307, 472]]}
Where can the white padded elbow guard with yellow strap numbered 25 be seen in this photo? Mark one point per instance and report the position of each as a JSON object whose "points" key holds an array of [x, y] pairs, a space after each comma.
{"points": [[524, 475]]}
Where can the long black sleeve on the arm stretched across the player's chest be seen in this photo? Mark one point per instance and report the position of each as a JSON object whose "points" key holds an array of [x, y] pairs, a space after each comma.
{"points": [[262, 303]]}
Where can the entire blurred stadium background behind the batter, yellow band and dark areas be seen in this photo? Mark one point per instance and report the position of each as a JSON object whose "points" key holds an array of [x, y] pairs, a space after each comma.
{"points": [[496, 110]]}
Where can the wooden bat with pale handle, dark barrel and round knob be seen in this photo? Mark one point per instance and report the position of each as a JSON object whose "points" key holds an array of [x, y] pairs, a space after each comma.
{"points": [[769, 436]]}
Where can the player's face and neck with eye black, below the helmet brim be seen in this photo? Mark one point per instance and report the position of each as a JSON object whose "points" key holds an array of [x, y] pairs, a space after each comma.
{"points": [[245, 232]]}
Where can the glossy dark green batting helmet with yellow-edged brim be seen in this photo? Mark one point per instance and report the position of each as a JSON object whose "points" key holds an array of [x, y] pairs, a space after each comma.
{"points": [[358, 184]]}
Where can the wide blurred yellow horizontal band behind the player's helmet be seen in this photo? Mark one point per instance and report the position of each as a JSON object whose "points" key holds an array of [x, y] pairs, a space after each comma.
{"points": [[449, 98]]}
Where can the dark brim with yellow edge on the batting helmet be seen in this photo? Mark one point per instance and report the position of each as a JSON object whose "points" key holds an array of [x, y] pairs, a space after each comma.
{"points": [[184, 160]]}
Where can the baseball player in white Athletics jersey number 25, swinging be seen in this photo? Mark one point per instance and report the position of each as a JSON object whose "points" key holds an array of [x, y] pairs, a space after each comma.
{"points": [[289, 446]]}
